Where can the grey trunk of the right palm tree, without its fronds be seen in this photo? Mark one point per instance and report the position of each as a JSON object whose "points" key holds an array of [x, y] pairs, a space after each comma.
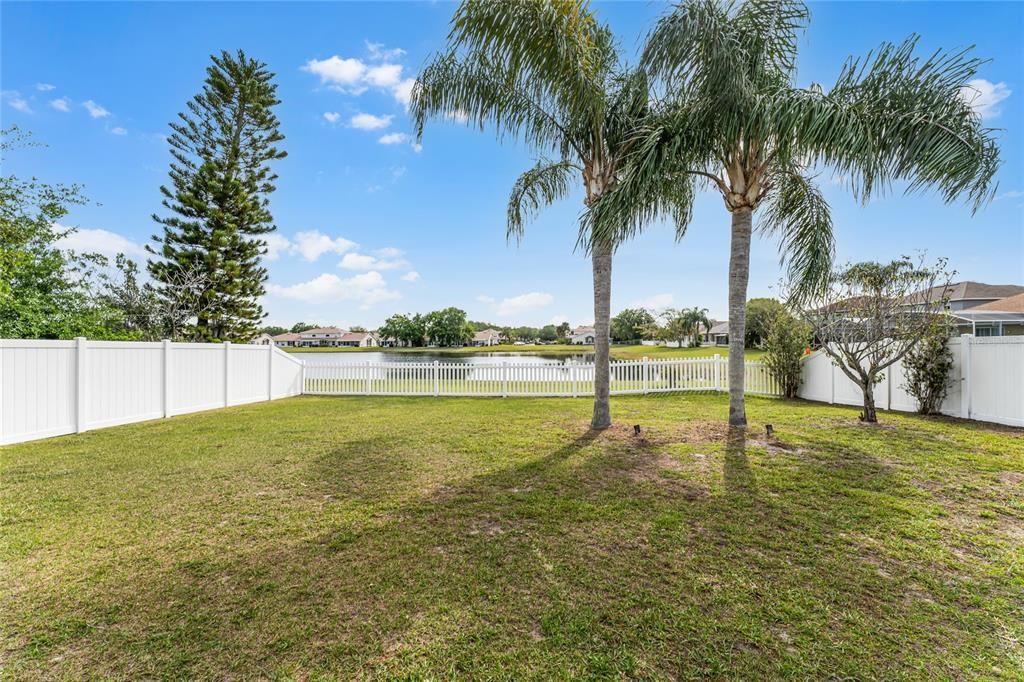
{"points": [[740, 270]]}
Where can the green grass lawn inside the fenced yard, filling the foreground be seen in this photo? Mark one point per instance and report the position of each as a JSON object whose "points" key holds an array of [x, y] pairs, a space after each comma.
{"points": [[419, 538]]}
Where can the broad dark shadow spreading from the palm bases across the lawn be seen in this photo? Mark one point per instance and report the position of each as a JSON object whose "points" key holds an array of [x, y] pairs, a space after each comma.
{"points": [[556, 564]]}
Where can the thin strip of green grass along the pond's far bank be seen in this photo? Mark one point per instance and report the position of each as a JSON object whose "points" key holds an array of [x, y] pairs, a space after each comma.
{"points": [[618, 353]]}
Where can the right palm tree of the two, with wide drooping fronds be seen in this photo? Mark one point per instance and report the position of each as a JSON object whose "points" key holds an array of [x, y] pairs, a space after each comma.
{"points": [[730, 69]]}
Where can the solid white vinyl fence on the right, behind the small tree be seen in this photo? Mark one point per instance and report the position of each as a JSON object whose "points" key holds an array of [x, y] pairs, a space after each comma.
{"points": [[987, 382]]}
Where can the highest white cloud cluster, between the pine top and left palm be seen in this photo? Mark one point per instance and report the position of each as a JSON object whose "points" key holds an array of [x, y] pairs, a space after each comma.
{"points": [[354, 76]]}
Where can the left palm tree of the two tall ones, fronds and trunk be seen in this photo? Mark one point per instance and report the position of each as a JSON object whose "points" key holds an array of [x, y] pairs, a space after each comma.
{"points": [[547, 73]]}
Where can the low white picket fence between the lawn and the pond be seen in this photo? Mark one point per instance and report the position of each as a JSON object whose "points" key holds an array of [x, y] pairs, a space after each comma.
{"points": [[514, 379]]}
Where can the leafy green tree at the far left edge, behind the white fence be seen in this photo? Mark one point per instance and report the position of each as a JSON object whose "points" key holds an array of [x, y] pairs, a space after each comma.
{"points": [[47, 291]]}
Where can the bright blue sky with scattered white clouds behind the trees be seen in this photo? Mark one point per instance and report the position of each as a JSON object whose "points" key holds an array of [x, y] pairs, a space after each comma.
{"points": [[369, 225]]}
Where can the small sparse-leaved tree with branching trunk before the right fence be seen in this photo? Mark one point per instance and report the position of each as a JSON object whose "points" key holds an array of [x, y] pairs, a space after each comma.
{"points": [[870, 316]]}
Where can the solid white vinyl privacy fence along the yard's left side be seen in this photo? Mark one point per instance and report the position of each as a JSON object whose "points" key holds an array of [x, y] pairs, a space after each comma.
{"points": [[51, 389]]}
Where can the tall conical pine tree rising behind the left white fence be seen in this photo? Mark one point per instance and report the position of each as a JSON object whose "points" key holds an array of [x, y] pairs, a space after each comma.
{"points": [[220, 198]]}
